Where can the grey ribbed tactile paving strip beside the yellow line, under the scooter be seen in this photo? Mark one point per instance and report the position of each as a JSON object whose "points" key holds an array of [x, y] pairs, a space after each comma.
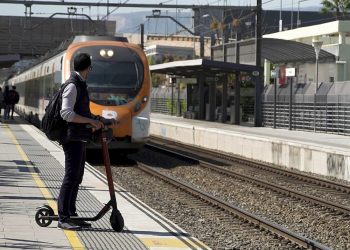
{"points": [[101, 235]]}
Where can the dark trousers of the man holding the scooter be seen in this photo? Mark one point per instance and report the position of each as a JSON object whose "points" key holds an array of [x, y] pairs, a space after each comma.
{"points": [[75, 154]]}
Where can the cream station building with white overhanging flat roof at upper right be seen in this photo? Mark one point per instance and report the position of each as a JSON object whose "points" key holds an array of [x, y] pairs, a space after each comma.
{"points": [[336, 40]]}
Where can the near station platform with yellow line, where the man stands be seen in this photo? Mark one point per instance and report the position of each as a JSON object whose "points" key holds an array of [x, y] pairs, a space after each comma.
{"points": [[31, 172]]}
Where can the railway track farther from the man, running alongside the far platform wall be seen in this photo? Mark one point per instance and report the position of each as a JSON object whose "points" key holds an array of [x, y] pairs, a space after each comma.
{"points": [[339, 193]]}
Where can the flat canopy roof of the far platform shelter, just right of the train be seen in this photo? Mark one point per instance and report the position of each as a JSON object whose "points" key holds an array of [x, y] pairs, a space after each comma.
{"points": [[197, 67]]}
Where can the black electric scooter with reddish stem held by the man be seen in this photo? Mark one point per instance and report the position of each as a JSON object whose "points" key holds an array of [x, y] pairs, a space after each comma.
{"points": [[45, 214]]}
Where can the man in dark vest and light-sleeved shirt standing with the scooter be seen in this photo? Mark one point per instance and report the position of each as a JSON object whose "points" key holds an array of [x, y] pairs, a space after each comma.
{"points": [[76, 111]]}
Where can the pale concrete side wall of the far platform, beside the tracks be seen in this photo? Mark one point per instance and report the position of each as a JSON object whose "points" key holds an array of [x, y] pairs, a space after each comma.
{"points": [[302, 156]]}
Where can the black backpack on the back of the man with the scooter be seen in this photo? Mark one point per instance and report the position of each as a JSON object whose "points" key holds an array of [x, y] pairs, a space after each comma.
{"points": [[52, 123]]}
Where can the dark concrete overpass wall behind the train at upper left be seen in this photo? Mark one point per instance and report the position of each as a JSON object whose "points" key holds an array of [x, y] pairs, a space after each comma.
{"points": [[35, 36]]}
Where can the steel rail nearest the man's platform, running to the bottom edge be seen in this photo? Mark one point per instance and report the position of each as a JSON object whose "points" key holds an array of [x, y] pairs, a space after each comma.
{"points": [[244, 215]]}
